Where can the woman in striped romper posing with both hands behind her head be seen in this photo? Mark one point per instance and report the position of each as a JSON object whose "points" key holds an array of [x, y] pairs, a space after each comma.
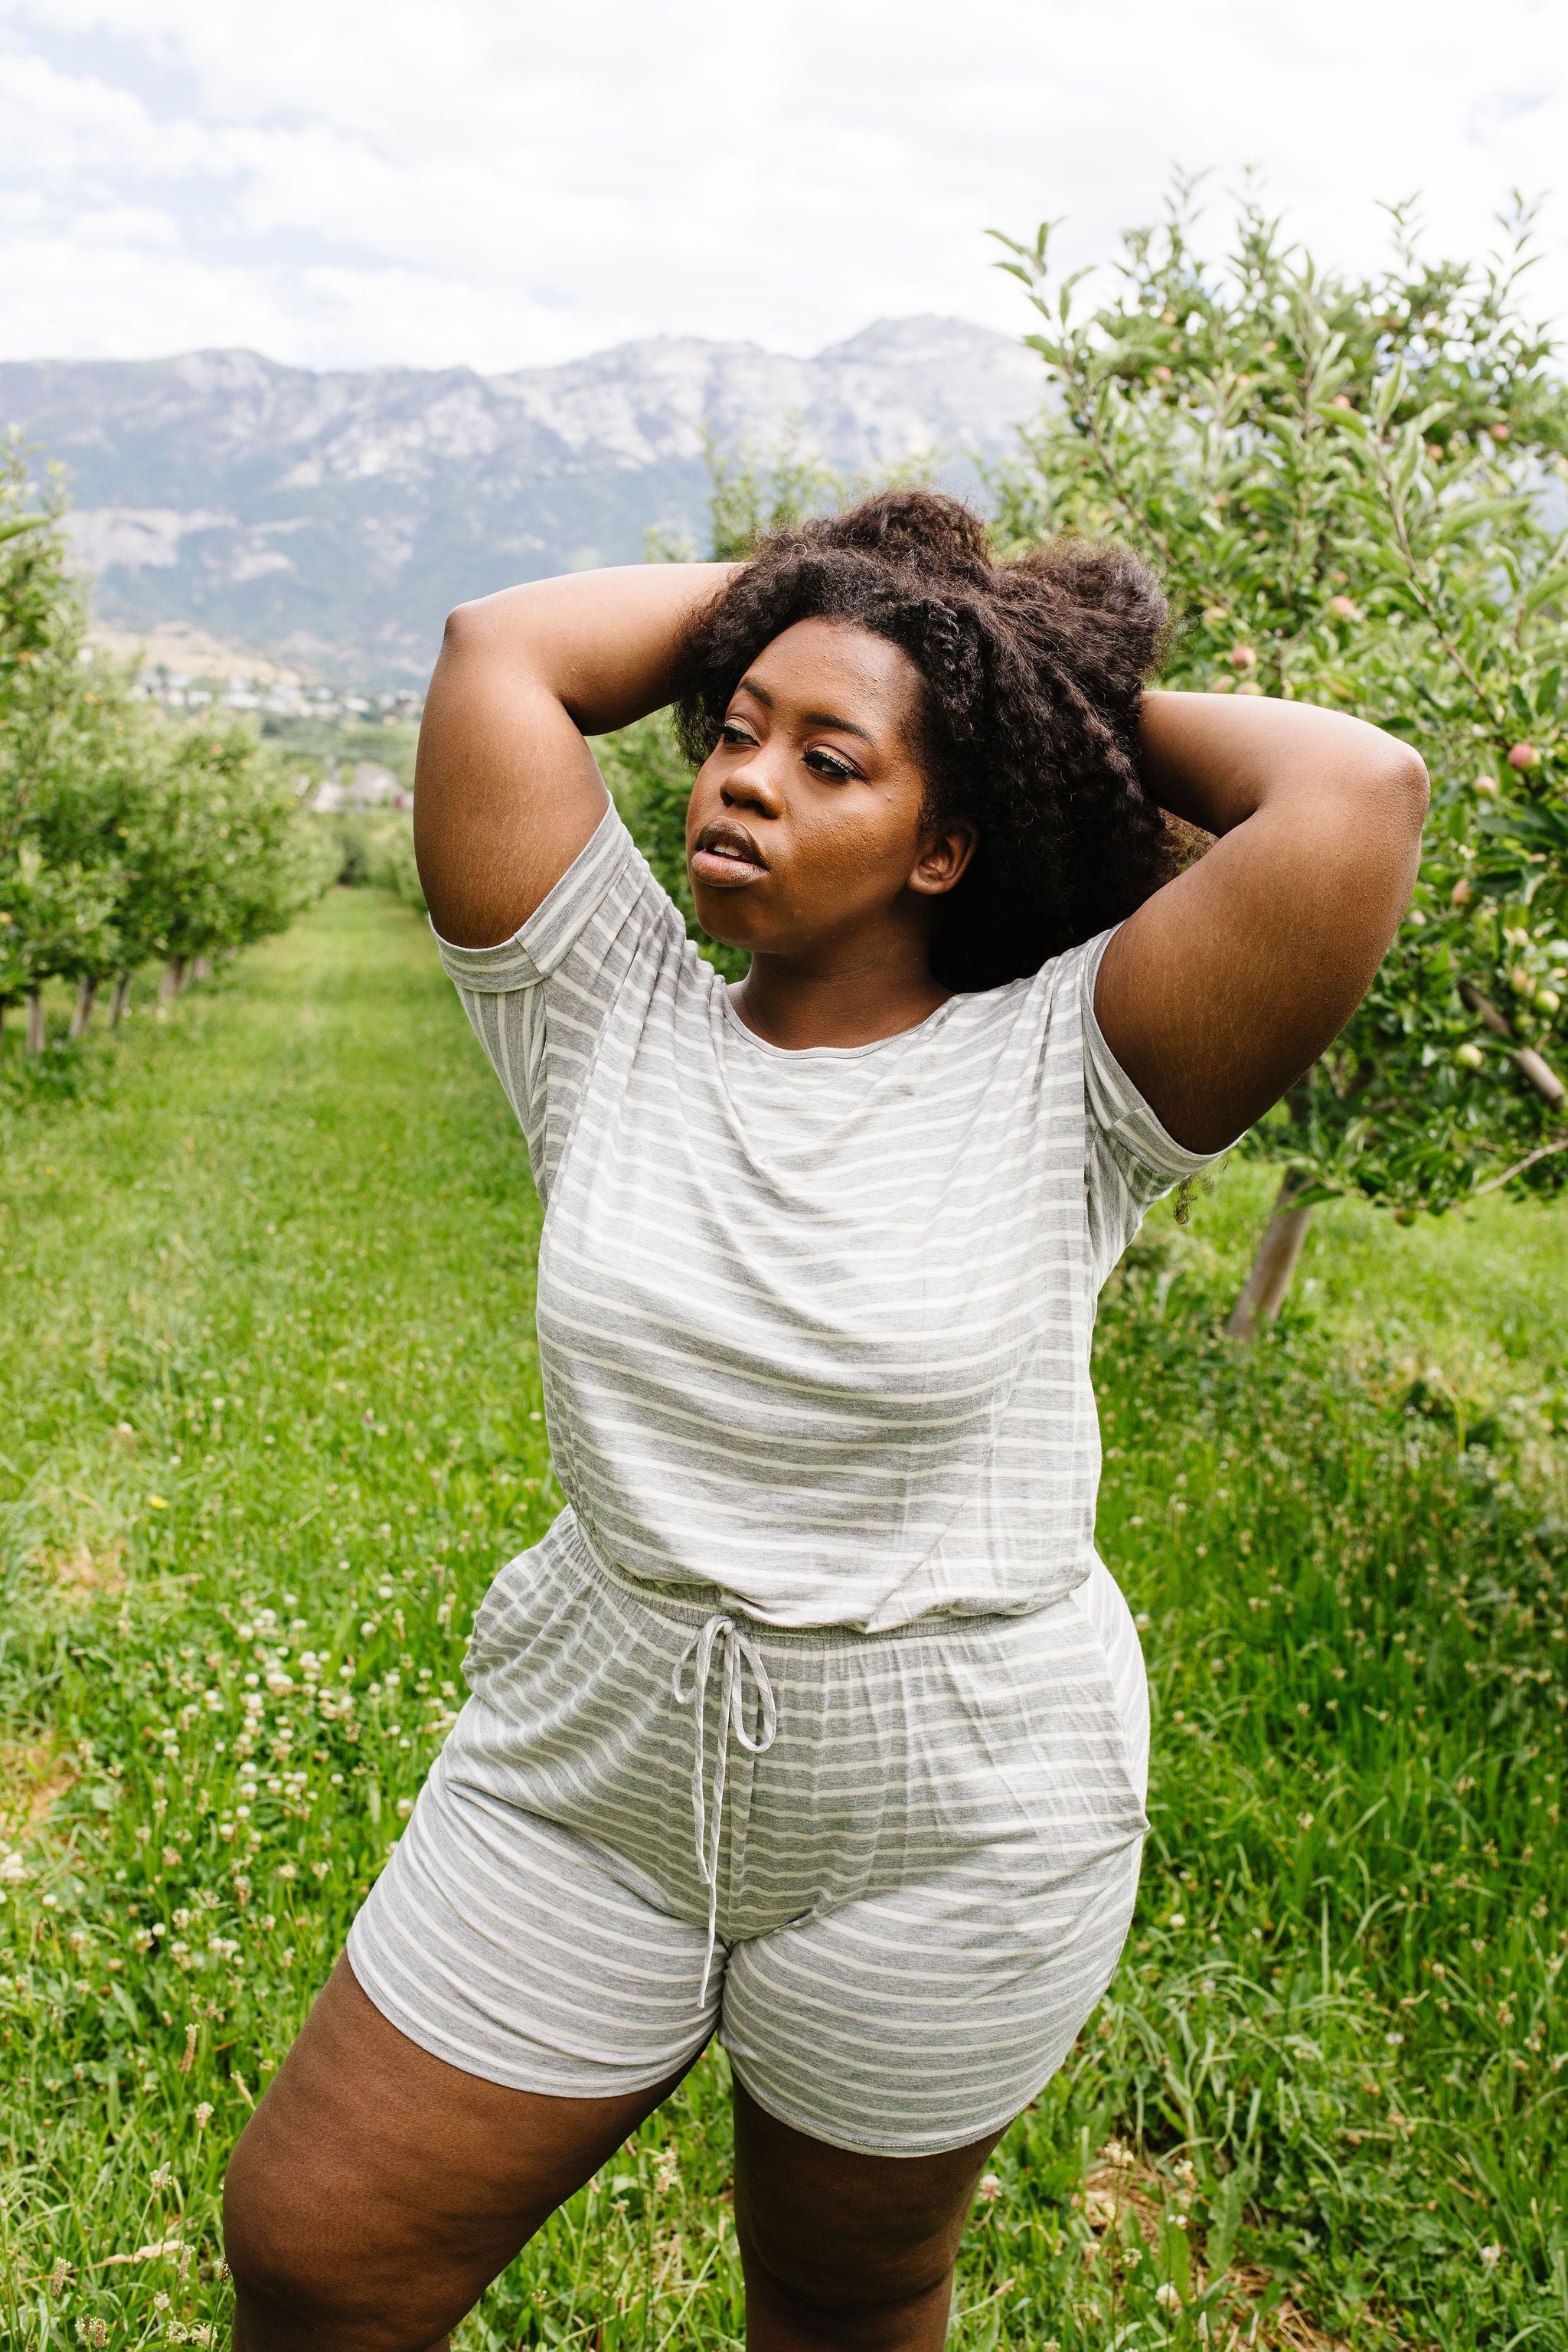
{"points": [[815, 1720]]}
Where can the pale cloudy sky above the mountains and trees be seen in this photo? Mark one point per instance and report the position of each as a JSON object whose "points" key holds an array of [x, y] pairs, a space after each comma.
{"points": [[507, 185]]}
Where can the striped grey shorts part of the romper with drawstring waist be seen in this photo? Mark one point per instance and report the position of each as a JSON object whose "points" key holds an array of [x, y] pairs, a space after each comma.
{"points": [[892, 1871]]}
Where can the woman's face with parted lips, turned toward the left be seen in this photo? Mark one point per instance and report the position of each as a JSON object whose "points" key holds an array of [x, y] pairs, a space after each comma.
{"points": [[805, 822]]}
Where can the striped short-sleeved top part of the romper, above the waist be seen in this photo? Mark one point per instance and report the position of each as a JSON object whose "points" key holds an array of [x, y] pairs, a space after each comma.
{"points": [[815, 1328]]}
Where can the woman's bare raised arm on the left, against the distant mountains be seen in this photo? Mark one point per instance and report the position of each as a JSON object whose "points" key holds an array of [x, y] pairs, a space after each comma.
{"points": [[507, 791]]}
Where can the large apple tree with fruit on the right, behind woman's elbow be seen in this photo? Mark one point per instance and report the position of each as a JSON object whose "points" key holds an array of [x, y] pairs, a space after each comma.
{"points": [[1353, 493]]}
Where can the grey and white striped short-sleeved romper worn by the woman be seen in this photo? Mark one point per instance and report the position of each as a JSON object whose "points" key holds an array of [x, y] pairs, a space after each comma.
{"points": [[815, 1720]]}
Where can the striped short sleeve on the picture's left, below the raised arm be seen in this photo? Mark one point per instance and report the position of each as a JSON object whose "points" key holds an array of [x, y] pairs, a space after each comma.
{"points": [[542, 1001]]}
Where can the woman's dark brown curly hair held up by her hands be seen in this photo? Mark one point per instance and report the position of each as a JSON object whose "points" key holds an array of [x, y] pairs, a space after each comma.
{"points": [[1033, 676]]}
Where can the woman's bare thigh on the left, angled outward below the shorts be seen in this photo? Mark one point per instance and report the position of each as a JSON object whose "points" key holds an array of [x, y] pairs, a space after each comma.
{"points": [[377, 2191]]}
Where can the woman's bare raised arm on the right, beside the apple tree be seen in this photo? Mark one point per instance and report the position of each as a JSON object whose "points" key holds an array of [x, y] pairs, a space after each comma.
{"points": [[1233, 980]]}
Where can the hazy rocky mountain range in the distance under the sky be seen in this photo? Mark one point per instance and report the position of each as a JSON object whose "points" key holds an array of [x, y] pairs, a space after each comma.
{"points": [[335, 519]]}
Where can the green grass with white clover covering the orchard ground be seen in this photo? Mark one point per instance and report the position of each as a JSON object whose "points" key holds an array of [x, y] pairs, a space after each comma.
{"points": [[272, 1422]]}
